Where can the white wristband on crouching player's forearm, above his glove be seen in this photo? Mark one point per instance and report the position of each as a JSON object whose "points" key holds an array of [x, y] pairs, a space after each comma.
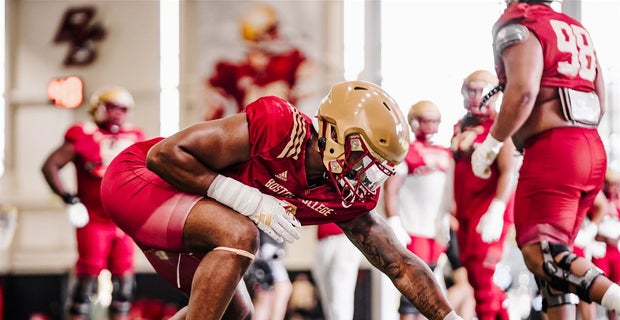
{"points": [[234, 194]]}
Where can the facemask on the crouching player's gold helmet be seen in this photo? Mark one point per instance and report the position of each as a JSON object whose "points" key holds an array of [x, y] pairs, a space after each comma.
{"points": [[353, 168]]}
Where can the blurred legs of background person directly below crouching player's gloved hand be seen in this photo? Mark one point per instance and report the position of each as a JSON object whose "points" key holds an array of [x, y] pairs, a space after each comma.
{"points": [[268, 281]]}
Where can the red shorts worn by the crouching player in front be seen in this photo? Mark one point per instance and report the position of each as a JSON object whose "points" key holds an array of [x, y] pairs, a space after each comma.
{"points": [[152, 212]]}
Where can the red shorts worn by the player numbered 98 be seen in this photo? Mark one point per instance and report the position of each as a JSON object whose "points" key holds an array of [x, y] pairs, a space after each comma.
{"points": [[563, 170]]}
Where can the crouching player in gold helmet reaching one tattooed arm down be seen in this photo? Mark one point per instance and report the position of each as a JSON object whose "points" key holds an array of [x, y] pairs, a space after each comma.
{"points": [[193, 201]]}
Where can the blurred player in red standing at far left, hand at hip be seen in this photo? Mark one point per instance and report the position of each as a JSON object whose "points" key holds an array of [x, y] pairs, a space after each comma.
{"points": [[100, 243]]}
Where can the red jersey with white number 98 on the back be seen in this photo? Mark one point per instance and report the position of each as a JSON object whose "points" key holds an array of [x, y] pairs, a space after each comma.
{"points": [[569, 55]]}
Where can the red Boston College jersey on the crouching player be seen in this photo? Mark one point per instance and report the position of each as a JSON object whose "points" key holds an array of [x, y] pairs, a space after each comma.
{"points": [[279, 136]]}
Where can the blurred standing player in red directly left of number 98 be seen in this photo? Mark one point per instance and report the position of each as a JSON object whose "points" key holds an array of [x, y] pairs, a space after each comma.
{"points": [[484, 207]]}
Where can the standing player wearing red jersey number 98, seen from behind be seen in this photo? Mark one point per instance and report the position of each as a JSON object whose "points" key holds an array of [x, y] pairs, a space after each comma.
{"points": [[553, 101]]}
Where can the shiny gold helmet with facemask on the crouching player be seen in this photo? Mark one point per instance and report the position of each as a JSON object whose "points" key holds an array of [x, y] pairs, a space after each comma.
{"points": [[362, 136]]}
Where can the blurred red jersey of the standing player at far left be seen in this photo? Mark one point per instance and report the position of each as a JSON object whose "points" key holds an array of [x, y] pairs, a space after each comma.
{"points": [[94, 150]]}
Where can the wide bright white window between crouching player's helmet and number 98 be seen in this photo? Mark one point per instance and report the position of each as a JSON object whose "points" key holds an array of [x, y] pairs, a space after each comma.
{"points": [[430, 46]]}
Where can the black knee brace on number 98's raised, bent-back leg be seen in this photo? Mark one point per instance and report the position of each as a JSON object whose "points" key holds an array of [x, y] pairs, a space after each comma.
{"points": [[561, 274]]}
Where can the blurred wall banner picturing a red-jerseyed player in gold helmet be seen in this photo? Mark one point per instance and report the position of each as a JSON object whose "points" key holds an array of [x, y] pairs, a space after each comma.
{"points": [[250, 49]]}
